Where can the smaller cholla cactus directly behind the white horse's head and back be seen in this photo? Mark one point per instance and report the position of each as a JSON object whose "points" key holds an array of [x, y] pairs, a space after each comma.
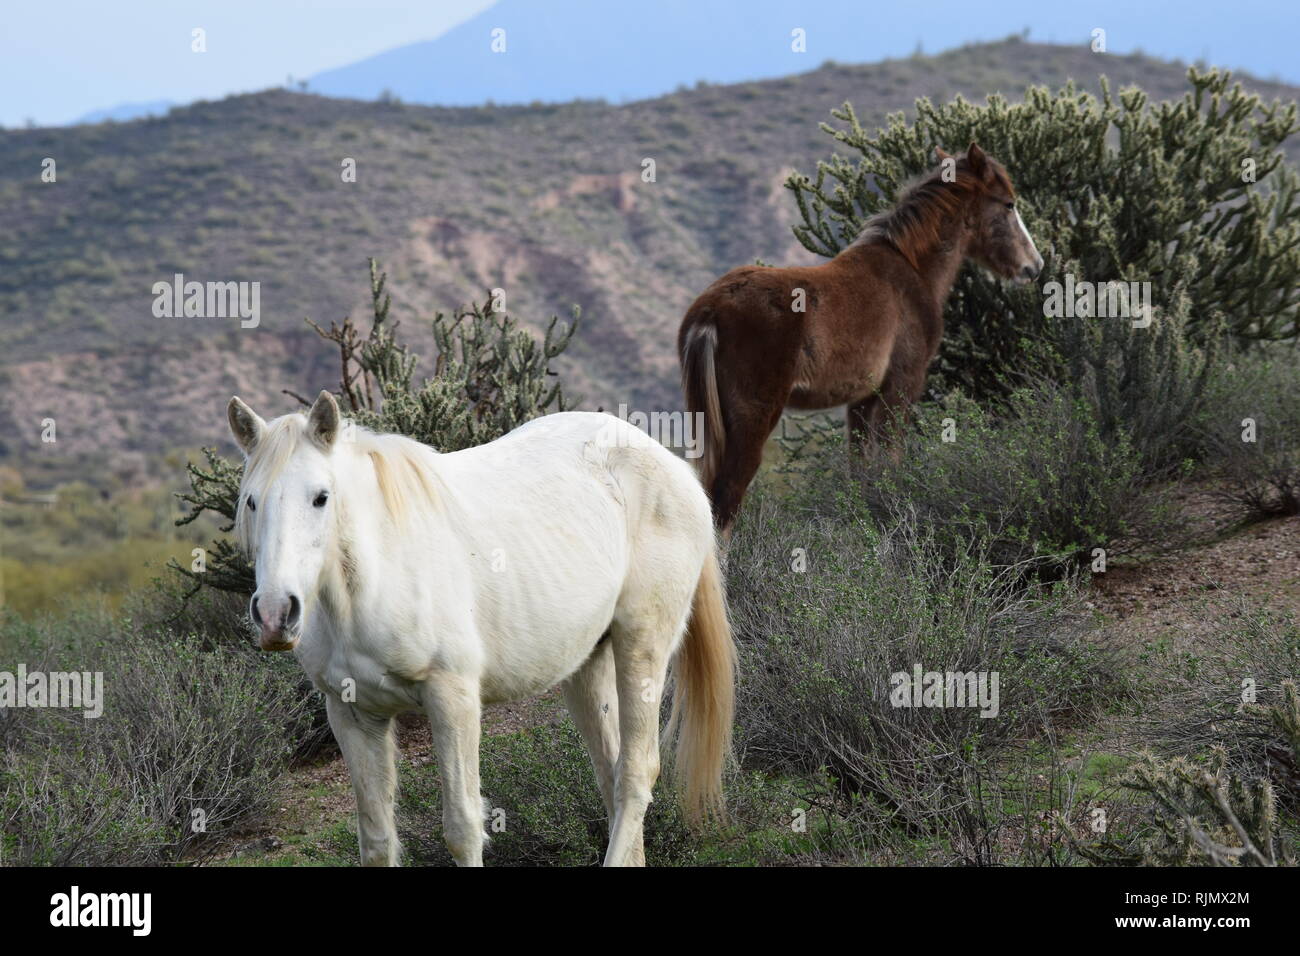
{"points": [[489, 378]]}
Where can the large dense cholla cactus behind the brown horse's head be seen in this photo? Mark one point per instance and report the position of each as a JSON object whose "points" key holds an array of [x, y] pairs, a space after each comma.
{"points": [[1193, 197]]}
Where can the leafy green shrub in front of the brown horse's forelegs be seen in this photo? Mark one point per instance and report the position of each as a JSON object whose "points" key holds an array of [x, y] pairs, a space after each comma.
{"points": [[1037, 483]]}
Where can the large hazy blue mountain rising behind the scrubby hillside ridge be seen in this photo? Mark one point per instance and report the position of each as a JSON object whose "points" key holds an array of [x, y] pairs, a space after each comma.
{"points": [[525, 51]]}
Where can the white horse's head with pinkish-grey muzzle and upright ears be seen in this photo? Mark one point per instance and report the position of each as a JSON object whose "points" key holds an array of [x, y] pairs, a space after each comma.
{"points": [[285, 517]]}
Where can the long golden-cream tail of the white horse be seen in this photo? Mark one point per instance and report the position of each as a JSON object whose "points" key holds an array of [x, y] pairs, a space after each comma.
{"points": [[704, 703]]}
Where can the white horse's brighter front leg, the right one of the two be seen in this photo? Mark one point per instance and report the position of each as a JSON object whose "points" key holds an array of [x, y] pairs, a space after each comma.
{"points": [[453, 704]]}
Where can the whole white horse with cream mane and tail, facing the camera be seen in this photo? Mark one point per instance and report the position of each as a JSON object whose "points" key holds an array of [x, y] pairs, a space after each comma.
{"points": [[571, 551]]}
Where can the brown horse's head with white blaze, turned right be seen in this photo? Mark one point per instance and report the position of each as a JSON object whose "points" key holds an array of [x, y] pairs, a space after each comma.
{"points": [[999, 240]]}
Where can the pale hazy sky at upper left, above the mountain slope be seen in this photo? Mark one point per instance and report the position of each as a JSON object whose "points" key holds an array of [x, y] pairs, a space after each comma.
{"points": [[62, 59]]}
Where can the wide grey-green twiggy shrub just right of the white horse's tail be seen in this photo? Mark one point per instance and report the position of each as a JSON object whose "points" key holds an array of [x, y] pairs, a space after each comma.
{"points": [[829, 611]]}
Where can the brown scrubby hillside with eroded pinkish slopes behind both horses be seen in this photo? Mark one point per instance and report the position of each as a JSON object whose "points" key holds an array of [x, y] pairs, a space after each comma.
{"points": [[547, 202]]}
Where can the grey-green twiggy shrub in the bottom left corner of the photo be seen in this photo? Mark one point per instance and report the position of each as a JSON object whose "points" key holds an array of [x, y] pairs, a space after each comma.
{"points": [[183, 733]]}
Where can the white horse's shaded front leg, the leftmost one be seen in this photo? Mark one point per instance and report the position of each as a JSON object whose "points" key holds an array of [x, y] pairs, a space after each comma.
{"points": [[367, 746]]}
